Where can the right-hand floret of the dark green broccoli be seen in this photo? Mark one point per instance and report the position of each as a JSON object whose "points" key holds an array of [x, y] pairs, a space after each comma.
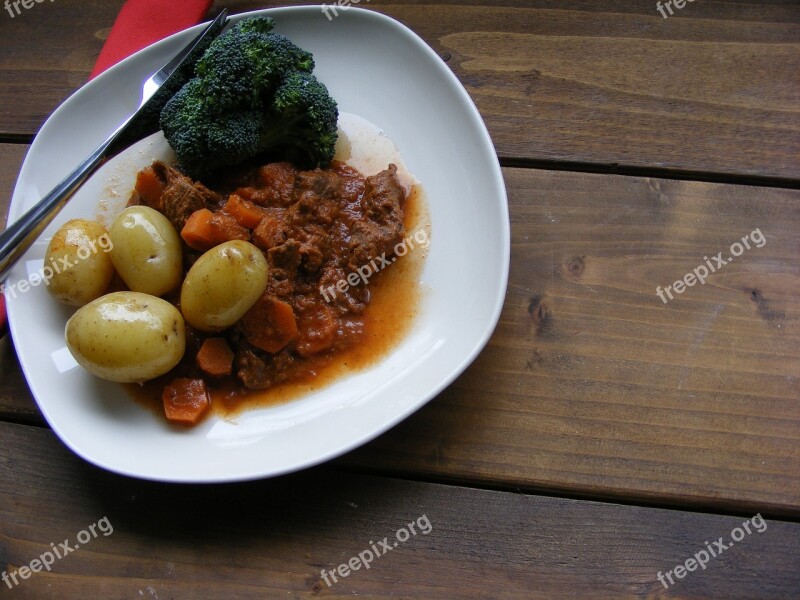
{"points": [[302, 121]]}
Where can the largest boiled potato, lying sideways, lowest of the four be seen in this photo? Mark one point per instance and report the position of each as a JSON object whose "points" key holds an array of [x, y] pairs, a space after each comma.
{"points": [[127, 337]]}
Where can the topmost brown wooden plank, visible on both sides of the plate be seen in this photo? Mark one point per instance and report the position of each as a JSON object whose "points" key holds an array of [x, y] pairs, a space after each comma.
{"points": [[712, 89]]}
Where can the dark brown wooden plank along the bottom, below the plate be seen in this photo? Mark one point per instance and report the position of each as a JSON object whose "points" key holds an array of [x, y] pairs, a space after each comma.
{"points": [[272, 537]]}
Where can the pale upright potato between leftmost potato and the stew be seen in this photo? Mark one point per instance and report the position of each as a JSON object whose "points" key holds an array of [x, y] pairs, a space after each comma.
{"points": [[146, 250]]}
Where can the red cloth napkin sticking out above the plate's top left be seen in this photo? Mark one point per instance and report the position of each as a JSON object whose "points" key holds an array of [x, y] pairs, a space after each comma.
{"points": [[143, 22]]}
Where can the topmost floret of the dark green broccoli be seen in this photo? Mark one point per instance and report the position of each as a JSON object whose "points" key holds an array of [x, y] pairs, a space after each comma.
{"points": [[245, 63]]}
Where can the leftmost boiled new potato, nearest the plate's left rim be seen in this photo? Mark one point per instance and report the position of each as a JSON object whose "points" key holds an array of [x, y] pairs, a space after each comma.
{"points": [[77, 267]]}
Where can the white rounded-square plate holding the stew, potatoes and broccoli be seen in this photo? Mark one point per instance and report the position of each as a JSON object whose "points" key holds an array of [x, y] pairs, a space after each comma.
{"points": [[374, 67]]}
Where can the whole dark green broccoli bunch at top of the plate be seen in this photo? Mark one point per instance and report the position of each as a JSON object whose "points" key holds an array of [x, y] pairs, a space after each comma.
{"points": [[253, 92]]}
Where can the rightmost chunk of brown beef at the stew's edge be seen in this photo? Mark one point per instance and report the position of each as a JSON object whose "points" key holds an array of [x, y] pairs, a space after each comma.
{"points": [[382, 228]]}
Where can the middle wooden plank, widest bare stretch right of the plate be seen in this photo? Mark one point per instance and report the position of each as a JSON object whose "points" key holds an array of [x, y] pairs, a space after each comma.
{"points": [[591, 384]]}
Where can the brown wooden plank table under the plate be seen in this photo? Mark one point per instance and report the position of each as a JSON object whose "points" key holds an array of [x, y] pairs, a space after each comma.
{"points": [[603, 436]]}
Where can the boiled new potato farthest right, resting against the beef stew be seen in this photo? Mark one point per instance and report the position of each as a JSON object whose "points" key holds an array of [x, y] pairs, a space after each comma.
{"points": [[223, 284]]}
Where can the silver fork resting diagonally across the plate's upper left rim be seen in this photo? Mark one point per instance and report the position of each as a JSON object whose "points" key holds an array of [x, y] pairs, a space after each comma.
{"points": [[19, 236]]}
